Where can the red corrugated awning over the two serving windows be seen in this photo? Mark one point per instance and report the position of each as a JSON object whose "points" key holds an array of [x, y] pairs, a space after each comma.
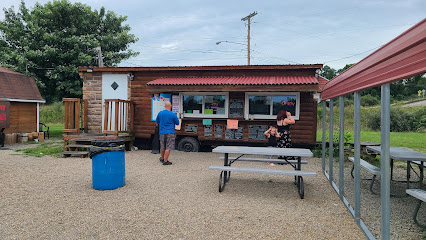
{"points": [[251, 80]]}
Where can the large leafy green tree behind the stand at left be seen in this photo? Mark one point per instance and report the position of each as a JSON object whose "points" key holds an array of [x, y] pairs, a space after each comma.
{"points": [[50, 41]]}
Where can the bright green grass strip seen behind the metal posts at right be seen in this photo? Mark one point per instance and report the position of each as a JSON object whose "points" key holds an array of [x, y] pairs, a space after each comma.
{"points": [[412, 140]]}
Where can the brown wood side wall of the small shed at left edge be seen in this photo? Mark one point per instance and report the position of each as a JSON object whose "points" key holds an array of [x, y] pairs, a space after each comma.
{"points": [[23, 117]]}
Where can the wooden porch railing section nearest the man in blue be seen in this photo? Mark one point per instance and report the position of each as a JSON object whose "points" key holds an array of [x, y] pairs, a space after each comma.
{"points": [[118, 116]]}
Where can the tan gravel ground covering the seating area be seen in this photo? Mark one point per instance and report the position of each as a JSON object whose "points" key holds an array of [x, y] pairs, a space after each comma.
{"points": [[53, 198]]}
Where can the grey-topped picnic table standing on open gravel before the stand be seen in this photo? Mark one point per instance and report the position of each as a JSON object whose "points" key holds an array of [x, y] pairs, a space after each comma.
{"points": [[297, 153]]}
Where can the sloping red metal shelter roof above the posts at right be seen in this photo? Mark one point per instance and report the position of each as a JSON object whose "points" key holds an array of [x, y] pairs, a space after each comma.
{"points": [[402, 57]]}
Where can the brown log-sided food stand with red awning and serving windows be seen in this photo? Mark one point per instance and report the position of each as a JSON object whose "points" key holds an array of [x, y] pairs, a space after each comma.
{"points": [[217, 105]]}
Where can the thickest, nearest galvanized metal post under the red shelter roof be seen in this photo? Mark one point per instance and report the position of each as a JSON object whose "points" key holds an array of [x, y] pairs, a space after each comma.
{"points": [[384, 161]]}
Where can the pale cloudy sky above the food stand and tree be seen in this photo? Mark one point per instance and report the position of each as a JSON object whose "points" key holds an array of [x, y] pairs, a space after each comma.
{"points": [[185, 32]]}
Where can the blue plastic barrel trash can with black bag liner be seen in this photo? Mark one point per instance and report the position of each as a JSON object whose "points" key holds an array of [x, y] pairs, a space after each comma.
{"points": [[108, 165]]}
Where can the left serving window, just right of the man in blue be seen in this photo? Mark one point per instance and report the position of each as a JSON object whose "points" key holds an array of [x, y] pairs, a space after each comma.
{"points": [[204, 105]]}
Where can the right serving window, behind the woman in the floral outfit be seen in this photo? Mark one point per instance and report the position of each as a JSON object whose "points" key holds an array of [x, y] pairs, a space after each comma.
{"points": [[268, 105]]}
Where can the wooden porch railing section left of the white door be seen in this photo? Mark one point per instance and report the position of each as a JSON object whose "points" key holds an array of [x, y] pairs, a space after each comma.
{"points": [[75, 115]]}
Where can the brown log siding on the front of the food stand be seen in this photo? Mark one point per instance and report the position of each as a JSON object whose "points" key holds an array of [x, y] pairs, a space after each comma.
{"points": [[303, 132]]}
